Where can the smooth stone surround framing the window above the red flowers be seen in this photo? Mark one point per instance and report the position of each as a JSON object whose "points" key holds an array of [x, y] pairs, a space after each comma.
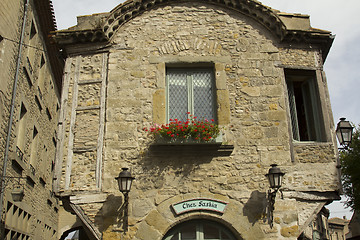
{"points": [[222, 94]]}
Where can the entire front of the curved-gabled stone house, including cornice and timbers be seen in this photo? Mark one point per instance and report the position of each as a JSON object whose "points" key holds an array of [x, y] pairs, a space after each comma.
{"points": [[268, 93]]}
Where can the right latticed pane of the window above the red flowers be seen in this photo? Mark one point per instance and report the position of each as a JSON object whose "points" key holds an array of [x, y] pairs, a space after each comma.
{"points": [[203, 94]]}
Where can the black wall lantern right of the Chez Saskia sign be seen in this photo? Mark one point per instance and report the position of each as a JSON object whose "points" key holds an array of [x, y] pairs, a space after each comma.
{"points": [[275, 177]]}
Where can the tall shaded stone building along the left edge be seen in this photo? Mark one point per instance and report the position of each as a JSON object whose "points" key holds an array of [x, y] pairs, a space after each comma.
{"points": [[30, 84]]}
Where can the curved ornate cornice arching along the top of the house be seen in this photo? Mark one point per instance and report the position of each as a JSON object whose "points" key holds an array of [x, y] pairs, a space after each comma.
{"points": [[255, 10]]}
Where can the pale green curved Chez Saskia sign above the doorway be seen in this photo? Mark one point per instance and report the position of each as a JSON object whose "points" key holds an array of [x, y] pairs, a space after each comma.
{"points": [[199, 204]]}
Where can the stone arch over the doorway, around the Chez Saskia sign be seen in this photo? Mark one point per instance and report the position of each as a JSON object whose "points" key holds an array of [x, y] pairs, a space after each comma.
{"points": [[162, 218]]}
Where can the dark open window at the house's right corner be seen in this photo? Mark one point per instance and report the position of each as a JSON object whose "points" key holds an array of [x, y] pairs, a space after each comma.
{"points": [[304, 104]]}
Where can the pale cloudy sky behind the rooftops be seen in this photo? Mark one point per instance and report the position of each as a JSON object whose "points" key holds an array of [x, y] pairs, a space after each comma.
{"points": [[342, 19]]}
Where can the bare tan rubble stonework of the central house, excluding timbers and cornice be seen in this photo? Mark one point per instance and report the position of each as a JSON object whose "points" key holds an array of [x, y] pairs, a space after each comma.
{"points": [[252, 112]]}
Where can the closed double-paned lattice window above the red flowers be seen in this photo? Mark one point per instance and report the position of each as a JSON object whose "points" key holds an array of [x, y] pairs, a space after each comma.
{"points": [[190, 90]]}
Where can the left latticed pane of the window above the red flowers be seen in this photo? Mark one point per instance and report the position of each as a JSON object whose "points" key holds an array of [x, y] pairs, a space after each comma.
{"points": [[178, 95]]}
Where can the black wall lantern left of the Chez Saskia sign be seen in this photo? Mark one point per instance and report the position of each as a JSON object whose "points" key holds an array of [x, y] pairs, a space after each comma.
{"points": [[125, 181]]}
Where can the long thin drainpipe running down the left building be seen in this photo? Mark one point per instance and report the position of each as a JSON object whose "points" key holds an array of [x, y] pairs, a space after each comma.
{"points": [[16, 79]]}
